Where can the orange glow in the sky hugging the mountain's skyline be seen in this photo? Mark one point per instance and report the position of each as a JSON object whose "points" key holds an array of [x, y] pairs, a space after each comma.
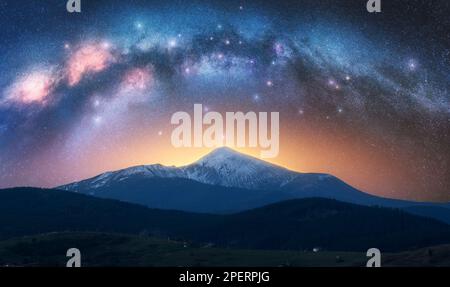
{"points": [[357, 163]]}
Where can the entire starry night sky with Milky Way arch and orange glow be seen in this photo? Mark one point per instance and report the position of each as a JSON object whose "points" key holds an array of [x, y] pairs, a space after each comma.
{"points": [[362, 96]]}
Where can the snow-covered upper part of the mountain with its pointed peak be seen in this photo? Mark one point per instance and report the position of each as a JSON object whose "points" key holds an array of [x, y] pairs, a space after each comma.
{"points": [[223, 167]]}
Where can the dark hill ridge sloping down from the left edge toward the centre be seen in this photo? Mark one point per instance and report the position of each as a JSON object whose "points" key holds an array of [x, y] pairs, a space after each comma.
{"points": [[27, 211]]}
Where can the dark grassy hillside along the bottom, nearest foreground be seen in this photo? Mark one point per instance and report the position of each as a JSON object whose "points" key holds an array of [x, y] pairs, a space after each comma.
{"points": [[102, 249]]}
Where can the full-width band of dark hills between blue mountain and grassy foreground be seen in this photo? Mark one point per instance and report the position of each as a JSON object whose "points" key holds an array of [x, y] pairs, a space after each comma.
{"points": [[294, 225]]}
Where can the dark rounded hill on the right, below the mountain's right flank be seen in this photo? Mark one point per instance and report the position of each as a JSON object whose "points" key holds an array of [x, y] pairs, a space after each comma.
{"points": [[331, 225]]}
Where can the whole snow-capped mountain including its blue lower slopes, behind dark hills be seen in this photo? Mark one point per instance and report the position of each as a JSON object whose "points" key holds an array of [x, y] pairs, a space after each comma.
{"points": [[226, 181]]}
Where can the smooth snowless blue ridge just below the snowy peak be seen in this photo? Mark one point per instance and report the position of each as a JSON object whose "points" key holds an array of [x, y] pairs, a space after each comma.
{"points": [[185, 195]]}
